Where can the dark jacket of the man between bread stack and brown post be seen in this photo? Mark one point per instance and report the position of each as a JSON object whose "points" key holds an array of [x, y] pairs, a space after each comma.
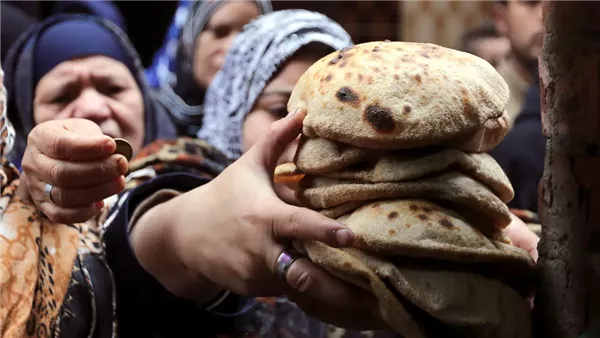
{"points": [[521, 154]]}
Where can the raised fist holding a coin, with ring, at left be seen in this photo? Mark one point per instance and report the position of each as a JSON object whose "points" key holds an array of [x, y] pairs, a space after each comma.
{"points": [[79, 164]]}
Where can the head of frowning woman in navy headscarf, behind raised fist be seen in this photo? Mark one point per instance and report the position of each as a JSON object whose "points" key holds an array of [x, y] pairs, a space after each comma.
{"points": [[49, 73]]}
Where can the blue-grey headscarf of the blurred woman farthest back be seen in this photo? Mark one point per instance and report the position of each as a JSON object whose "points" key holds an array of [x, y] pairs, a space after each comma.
{"points": [[181, 95]]}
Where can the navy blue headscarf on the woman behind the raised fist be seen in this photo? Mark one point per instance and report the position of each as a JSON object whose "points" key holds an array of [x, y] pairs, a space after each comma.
{"points": [[26, 61]]}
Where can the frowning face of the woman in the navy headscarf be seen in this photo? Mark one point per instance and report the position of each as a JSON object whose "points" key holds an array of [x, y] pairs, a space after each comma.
{"points": [[96, 88]]}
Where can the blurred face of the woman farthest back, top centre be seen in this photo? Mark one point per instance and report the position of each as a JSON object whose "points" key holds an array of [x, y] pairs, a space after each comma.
{"points": [[214, 41]]}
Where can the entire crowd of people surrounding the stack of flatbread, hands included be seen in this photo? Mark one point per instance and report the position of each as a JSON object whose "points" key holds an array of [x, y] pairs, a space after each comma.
{"points": [[187, 236]]}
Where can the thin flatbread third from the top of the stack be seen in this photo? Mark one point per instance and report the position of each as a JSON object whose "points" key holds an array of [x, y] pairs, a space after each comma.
{"points": [[317, 193]]}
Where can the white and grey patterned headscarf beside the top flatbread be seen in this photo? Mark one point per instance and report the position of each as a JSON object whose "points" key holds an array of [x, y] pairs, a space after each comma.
{"points": [[255, 56]]}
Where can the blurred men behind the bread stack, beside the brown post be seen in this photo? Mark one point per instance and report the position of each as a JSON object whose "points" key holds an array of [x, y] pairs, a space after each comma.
{"points": [[513, 44]]}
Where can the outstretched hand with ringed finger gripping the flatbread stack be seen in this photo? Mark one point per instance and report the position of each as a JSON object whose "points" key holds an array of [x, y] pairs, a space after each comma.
{"points": [[233, 229]]}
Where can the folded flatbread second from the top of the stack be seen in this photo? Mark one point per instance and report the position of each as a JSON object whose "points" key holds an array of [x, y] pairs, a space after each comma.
{"points": [[407, 165]]}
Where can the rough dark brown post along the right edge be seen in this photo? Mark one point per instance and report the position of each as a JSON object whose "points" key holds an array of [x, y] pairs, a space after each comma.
{"points": [[567, 302]]}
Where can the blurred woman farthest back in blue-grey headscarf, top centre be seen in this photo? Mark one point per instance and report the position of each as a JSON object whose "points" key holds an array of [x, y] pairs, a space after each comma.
{"points": [[201, 49]]}
